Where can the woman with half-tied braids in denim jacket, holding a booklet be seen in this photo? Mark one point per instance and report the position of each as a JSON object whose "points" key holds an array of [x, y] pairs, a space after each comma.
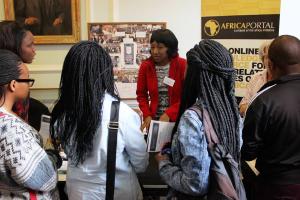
{"points": [[209, 84]]}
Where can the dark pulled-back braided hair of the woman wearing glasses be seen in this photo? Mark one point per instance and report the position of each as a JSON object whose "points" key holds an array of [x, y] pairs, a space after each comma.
{"points": [[9, 70]]}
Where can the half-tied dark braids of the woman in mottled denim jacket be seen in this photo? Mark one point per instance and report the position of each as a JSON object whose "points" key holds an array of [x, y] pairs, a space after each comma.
{"points": [[209, 84]]}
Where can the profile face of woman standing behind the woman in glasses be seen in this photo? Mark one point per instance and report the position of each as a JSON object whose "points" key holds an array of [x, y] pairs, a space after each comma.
{"points": [[27, 52]]}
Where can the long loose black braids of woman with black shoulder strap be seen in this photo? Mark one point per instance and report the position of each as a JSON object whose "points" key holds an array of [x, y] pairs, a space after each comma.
{"points": [[86, 75]]}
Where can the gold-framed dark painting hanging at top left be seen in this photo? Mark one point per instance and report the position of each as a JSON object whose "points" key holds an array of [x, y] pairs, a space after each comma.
{"points": [[59, 25]]}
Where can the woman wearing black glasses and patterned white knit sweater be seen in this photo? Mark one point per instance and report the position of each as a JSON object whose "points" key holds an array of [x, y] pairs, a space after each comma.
{"points": [[27, 170]]}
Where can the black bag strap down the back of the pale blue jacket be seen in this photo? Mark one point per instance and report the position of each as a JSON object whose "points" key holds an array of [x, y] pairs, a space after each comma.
{"points": [[113, 127]]}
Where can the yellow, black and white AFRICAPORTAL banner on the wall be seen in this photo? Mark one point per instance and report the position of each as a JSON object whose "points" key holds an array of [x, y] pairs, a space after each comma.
{"points": [[241, 26]]}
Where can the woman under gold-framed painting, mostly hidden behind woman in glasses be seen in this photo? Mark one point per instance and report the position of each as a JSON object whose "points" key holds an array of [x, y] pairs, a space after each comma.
{"points": [[20, 41]]}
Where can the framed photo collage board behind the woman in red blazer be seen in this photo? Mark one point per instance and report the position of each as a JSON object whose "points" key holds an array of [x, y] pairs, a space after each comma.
{"points": [[128, 44]]}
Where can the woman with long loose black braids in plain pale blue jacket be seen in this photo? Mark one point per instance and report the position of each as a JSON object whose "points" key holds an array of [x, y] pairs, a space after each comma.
{"points": [[80, 121]]}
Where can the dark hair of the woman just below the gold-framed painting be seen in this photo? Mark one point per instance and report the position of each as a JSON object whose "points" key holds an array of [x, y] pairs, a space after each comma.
{"points": [[11, 36]]}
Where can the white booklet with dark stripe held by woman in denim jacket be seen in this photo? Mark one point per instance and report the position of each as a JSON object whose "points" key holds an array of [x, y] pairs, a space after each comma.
{"points": [[159, 134]]}
